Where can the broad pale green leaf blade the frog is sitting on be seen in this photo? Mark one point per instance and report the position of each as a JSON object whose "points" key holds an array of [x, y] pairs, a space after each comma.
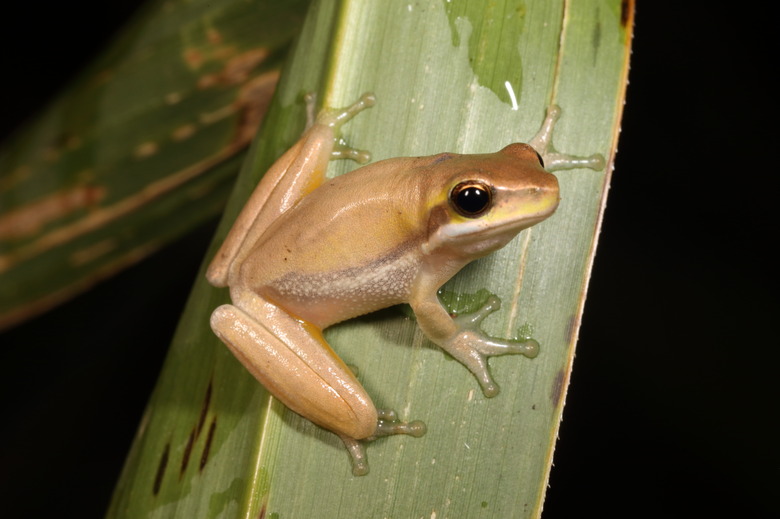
{"points": [[213, 442]]}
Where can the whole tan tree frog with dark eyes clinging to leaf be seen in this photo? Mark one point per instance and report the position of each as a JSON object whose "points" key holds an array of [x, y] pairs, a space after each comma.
{"points": [[309, 251]]}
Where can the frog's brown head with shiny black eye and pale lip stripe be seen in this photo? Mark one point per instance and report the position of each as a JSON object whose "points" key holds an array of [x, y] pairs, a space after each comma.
{"points": [[489, 199]]}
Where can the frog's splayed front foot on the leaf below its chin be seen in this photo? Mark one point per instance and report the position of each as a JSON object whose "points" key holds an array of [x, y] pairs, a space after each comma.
{"points": [[472, 347]]}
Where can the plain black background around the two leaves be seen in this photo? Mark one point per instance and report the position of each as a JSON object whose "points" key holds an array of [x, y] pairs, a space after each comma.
{"points": [[672, 407]]}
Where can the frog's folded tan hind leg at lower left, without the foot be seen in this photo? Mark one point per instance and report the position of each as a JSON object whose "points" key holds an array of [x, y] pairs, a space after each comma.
{"points": [[297, 366]]}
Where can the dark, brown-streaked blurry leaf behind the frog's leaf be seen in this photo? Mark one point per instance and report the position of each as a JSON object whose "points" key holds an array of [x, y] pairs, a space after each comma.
{"points": [[141, 148]]}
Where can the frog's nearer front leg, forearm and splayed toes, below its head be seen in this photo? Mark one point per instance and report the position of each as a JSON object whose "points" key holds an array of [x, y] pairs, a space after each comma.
{"points": [[462, 337]]}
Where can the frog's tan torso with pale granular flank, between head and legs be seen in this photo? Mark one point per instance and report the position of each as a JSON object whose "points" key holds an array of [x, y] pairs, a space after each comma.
{"points": [[344, 250]]}
